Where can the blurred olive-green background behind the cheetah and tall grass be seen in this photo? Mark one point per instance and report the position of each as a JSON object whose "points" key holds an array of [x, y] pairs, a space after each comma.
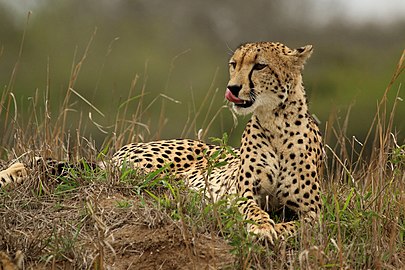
{"points": [[180, 49]]}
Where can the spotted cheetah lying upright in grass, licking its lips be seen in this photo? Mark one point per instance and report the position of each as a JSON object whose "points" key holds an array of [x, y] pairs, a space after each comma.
{"points": [[278, 164]]}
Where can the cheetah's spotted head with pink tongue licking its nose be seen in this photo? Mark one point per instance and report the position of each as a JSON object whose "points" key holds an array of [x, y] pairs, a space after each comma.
{"points": [[262, 74]]}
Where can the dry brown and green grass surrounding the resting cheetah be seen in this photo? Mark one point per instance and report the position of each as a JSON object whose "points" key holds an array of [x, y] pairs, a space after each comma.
{"points": [[123, 220]]}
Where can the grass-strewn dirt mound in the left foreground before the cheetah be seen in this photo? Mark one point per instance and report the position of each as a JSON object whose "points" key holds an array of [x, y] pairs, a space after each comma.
{"points": [[87, 229]]}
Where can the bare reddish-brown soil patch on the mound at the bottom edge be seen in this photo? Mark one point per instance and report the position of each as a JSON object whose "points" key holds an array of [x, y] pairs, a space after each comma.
{"points": [[168, 246]]}
